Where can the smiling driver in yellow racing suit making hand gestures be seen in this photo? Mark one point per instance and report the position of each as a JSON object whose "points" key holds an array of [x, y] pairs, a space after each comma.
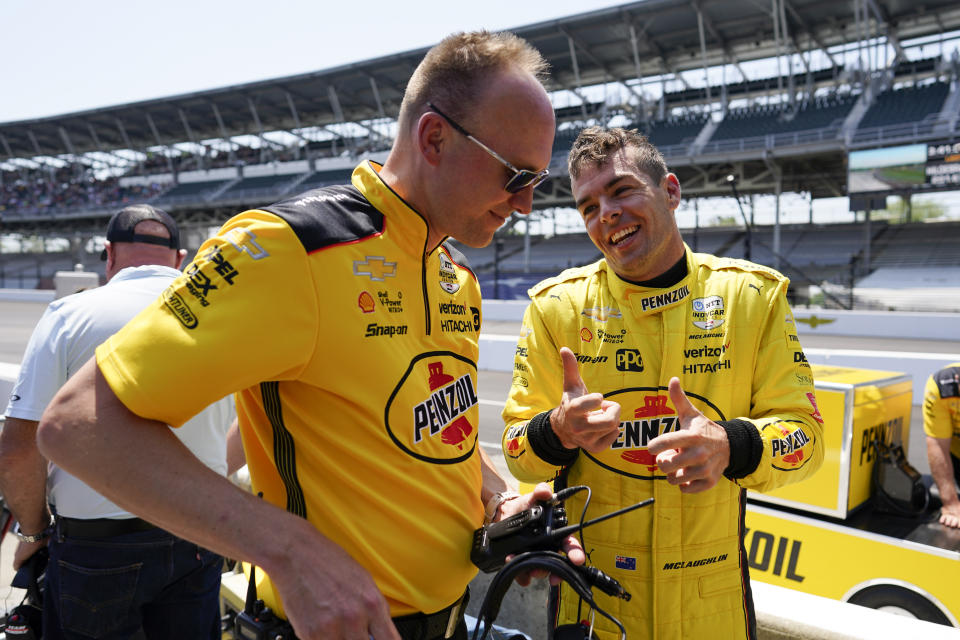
{"points": [[659, 372]]}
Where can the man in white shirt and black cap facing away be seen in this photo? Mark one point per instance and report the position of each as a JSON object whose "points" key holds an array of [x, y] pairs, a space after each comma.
{"points": [[110, 574]]}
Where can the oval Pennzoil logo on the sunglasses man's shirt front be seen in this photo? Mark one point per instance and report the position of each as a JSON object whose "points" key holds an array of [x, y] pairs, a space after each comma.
{"points": [[441, 427]]}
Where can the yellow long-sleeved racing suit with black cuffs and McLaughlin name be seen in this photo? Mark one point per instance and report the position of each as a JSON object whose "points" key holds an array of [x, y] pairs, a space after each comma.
{"points": [[726, 330]]}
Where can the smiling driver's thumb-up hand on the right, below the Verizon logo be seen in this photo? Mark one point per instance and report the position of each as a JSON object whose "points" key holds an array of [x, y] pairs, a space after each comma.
{"points": [[695, 456]]}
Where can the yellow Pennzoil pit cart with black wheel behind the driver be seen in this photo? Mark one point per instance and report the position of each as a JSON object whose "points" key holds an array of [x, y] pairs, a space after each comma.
{"points": [[824, 536]]}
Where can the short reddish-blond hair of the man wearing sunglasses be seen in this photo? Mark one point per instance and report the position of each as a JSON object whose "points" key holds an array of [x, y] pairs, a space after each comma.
{"points": [[453, 73]]}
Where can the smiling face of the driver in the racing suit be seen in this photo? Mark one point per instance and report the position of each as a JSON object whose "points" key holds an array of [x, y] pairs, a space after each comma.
{"points": [[630, 217]]}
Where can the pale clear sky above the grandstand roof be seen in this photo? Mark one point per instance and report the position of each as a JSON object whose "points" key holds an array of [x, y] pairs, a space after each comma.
{"points": [[65, 56]]}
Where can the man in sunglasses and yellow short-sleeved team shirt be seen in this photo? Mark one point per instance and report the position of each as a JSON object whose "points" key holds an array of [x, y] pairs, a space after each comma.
{"points": [[348, 329]]}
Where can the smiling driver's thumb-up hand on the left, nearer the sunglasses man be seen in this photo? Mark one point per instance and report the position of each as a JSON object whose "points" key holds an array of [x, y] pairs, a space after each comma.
{"points": [[583, 419]]}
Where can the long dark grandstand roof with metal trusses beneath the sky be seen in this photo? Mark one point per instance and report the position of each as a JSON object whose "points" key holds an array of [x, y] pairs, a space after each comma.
{"points": [[620, 44]]}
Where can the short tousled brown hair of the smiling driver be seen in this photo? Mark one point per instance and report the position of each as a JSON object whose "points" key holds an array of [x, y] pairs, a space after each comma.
{"points": [[596, 145]]}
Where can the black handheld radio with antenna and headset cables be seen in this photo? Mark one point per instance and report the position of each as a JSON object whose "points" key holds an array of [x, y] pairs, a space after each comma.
{"points": [[534, 538]]}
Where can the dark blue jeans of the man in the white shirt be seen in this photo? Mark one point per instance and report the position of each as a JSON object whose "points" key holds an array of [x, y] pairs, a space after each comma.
{"points": [[149, 582]]}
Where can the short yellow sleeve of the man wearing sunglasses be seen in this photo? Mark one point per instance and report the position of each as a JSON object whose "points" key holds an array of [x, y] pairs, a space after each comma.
{"points": [[202, 339]]}
